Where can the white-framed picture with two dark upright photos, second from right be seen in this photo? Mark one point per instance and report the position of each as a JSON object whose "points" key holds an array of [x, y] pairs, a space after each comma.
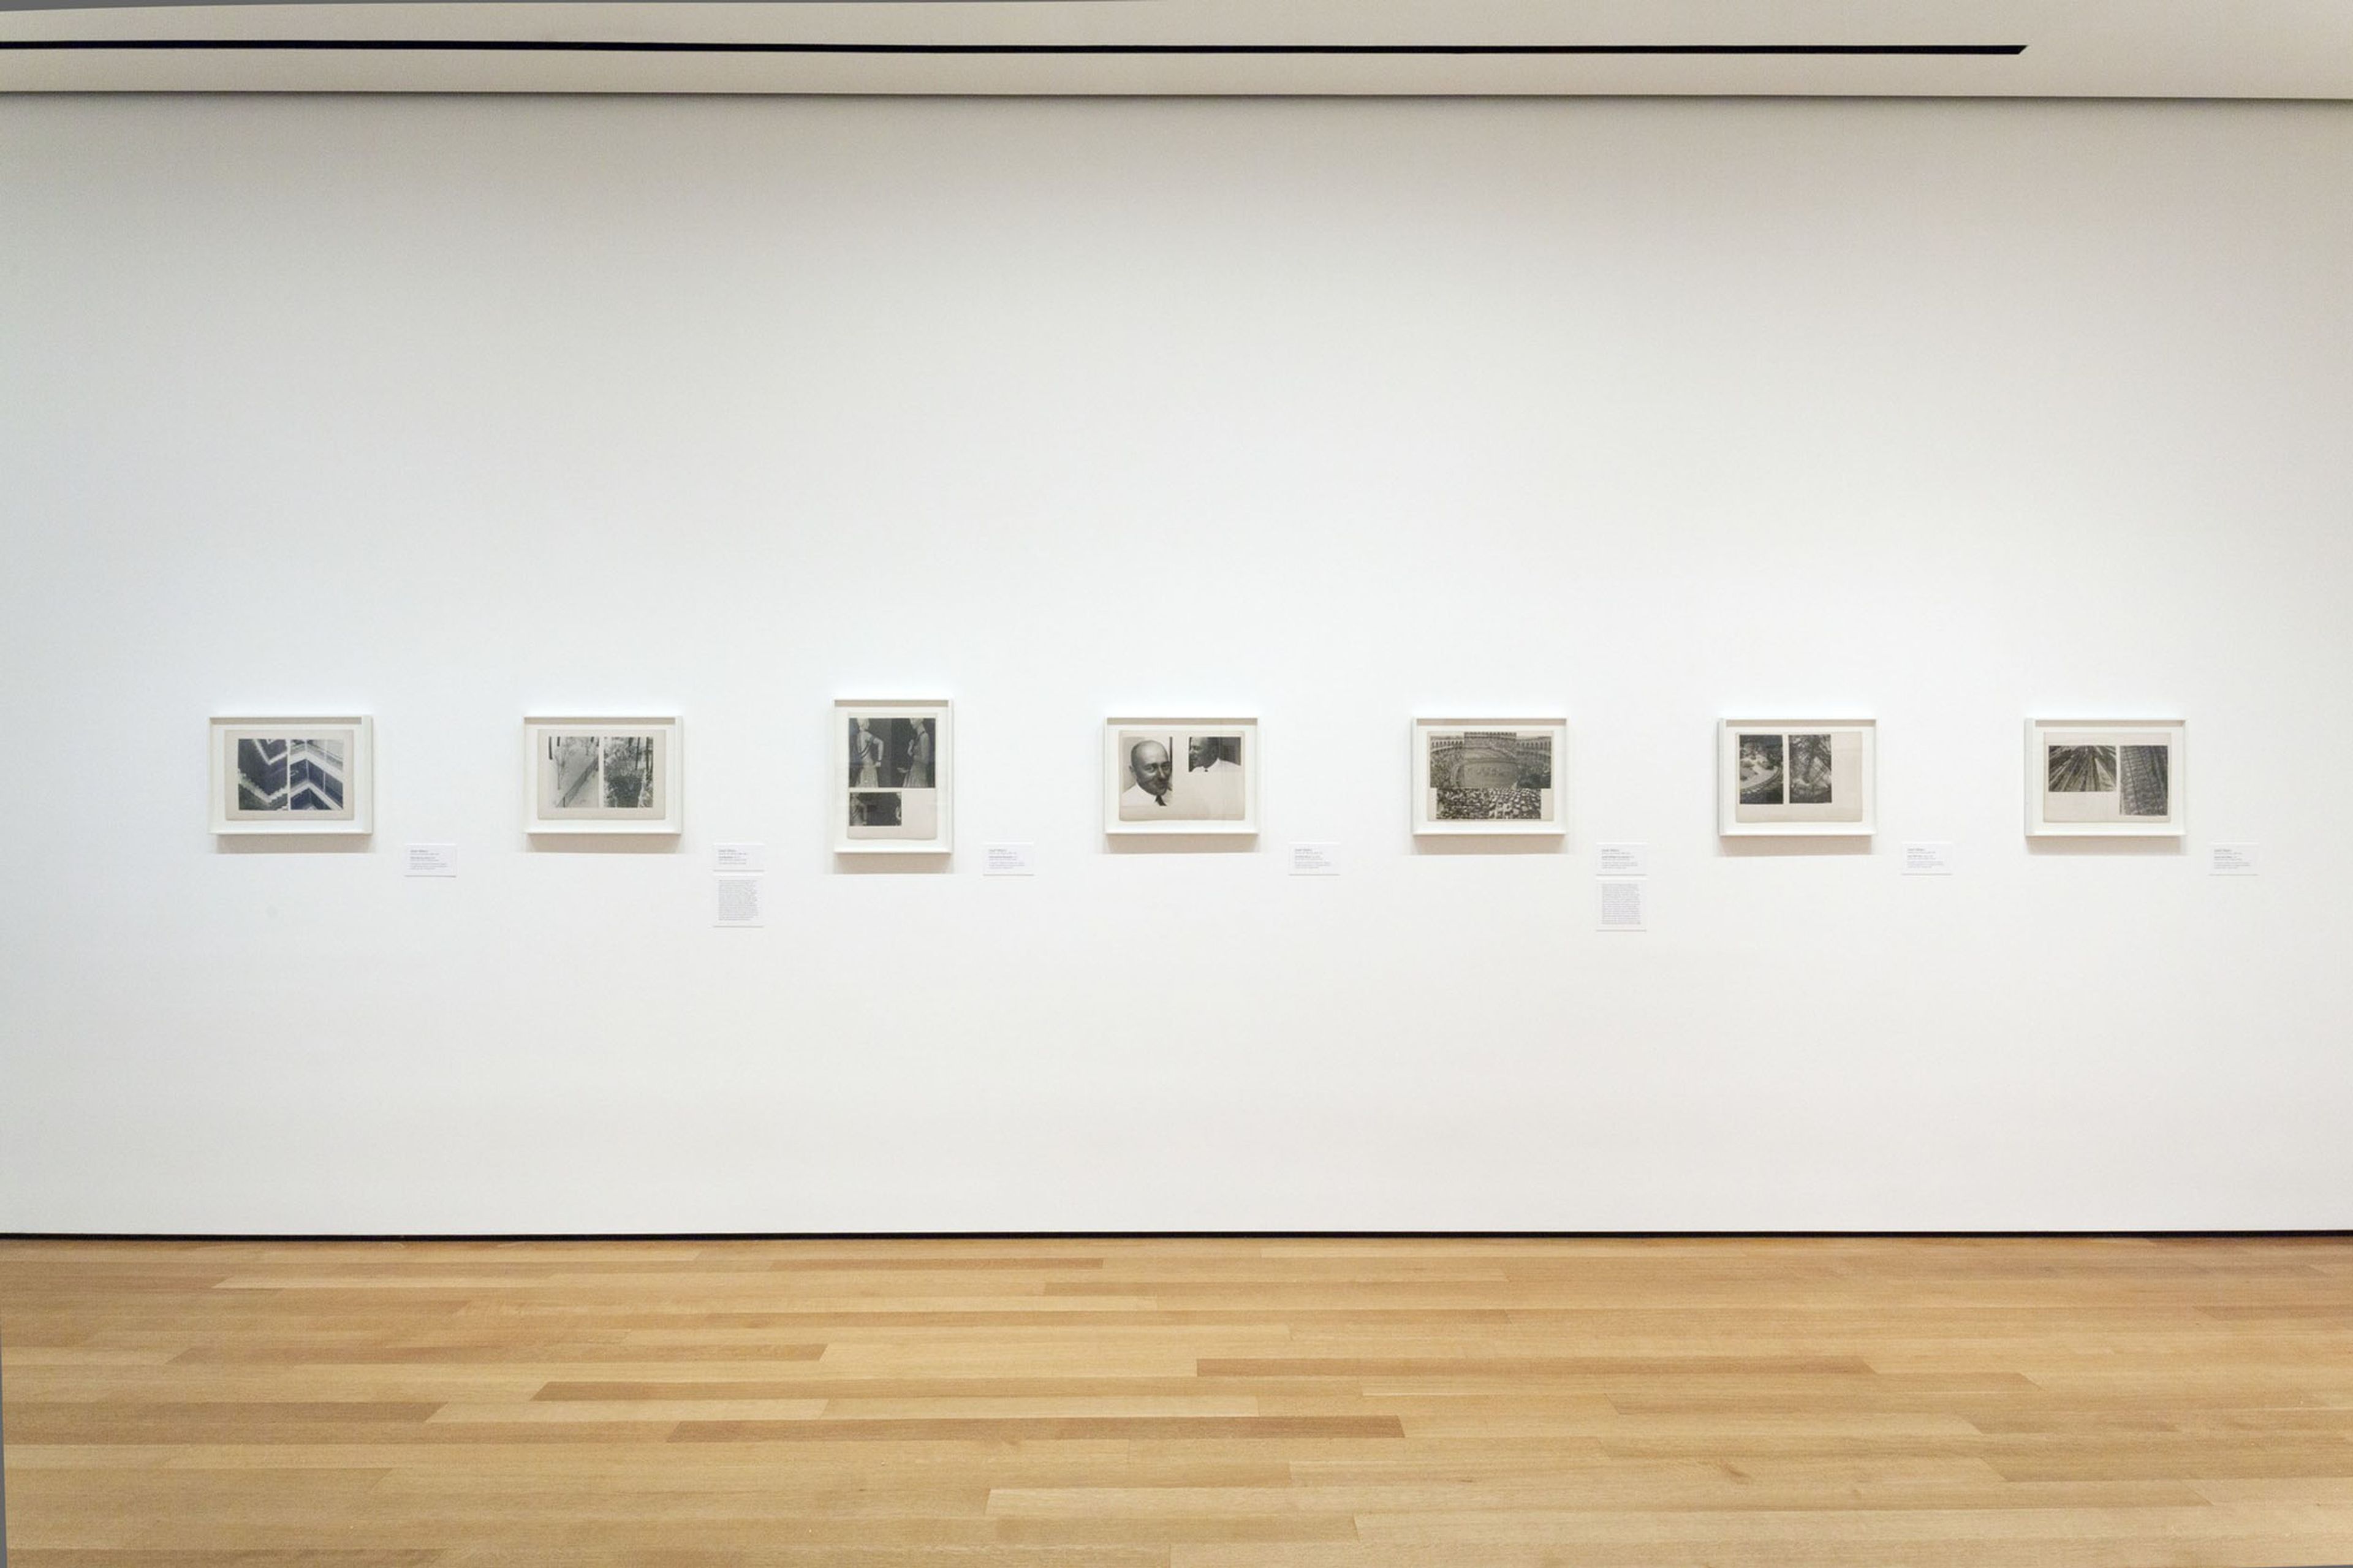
{"points": [[1797, 778]]}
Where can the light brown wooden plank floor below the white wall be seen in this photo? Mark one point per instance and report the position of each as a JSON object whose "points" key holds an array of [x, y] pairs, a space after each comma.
{"points": [[1189, 1404]]}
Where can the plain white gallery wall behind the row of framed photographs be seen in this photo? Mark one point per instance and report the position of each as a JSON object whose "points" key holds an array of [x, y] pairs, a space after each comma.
{"points": [[453, 411]]}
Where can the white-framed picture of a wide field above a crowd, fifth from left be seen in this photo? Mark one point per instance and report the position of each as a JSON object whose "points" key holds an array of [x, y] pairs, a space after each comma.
{"points": [[1481, 778]]}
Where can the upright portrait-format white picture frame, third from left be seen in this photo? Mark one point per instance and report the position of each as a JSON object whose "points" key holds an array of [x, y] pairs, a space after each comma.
{"points": [[893, 776]]}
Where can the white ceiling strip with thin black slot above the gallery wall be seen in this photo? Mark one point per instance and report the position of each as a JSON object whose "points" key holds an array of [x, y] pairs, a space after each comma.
{"points": [[1780, 48]]}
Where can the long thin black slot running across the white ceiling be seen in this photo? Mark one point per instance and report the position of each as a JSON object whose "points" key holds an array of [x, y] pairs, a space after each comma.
{"points": [[585, 46]]}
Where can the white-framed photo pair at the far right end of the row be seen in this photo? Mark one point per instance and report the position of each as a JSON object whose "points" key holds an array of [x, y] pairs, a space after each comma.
{"points": [[2107, 778]]}
